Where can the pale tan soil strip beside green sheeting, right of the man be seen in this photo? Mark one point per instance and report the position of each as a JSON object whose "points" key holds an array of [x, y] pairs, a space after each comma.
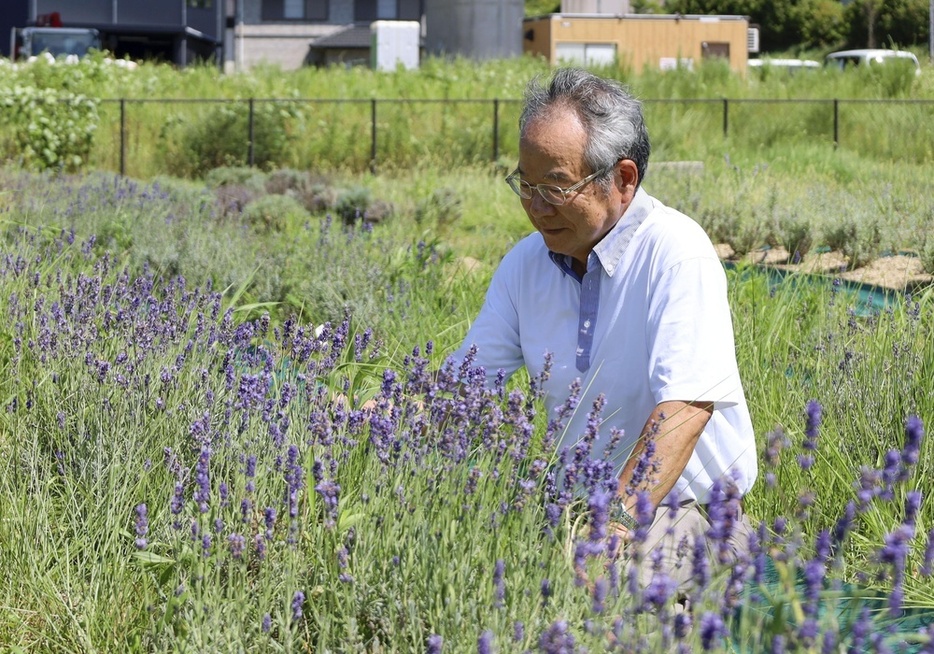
{"points": [[898, 272]]}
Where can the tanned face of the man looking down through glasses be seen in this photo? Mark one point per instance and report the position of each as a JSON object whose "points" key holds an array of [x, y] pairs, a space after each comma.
{"points": [[552, 152]]}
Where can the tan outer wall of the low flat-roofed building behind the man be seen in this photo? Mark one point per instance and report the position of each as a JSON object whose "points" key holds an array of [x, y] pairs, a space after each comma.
{"points": [[641, 41]]}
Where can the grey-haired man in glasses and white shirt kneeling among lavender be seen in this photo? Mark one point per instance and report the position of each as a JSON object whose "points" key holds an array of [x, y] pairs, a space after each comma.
{"points": [[628, 297]]}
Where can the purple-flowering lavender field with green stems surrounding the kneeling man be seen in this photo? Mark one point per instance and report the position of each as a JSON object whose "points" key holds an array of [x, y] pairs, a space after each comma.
{"points": [[186, 463]]}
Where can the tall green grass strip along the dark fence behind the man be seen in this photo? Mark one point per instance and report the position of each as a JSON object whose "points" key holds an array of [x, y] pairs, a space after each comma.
{"points": [[434, 112]]}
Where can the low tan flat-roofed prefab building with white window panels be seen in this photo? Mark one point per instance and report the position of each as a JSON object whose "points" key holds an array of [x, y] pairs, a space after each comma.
{"points": [[639, 41]]}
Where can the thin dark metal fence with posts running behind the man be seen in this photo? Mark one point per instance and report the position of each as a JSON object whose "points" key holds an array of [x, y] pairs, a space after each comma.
{"points": [[727, 108]]}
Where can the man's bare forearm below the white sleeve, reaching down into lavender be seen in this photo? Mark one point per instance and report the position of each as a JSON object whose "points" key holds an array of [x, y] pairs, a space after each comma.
{"points": [[675, 428]]}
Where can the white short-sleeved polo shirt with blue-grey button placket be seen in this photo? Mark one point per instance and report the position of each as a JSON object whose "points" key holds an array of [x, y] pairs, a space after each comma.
{"points": [[649, 322]]}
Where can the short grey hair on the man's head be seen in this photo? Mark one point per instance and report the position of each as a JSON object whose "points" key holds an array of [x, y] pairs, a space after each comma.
{"points": [[610, 115]]}
